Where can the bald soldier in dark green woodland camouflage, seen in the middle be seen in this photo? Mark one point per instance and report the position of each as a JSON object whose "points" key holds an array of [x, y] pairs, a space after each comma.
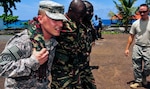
{"points": [[71, 52]]}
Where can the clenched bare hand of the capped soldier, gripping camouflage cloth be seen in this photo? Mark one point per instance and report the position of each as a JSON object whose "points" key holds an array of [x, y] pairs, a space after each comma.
{"points": [[41, 56]]}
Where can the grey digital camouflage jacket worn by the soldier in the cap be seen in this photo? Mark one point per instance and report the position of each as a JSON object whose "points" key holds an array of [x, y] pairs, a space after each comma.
{"points": [[17, 66]]}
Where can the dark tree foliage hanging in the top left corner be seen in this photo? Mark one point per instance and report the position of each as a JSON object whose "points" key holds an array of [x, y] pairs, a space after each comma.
{"points": [[7, 5]]}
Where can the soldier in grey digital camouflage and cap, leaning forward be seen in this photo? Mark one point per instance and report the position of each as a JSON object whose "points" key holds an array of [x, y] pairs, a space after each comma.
{"points": [[26, 61]]}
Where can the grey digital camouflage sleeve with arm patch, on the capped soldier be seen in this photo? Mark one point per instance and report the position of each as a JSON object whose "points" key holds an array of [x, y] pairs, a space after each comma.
{"points": [[16, 60]]}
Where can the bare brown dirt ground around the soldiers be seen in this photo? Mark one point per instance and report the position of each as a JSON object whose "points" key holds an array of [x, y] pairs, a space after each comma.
{"points": [[112, 70]]}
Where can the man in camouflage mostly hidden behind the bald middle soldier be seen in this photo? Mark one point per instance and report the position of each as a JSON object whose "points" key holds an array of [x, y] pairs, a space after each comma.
{"points": [[86, 73]]}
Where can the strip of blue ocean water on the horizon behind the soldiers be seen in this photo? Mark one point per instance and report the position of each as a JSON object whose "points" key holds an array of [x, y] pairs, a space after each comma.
{"points": [[19, 24]]}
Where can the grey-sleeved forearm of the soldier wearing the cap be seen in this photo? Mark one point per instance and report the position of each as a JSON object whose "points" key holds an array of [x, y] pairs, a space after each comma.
{"points": [[21, 67]]}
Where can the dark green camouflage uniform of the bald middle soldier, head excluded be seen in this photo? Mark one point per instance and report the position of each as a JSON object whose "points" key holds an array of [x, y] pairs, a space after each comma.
{"points": [[70, 57]]}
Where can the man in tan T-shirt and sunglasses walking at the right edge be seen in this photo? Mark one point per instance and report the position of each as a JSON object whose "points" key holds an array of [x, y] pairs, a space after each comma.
{"points": [[141, 49]]}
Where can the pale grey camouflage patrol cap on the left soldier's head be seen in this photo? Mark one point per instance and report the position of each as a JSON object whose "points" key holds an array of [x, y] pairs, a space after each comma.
{"points": [[53, 10]]}
